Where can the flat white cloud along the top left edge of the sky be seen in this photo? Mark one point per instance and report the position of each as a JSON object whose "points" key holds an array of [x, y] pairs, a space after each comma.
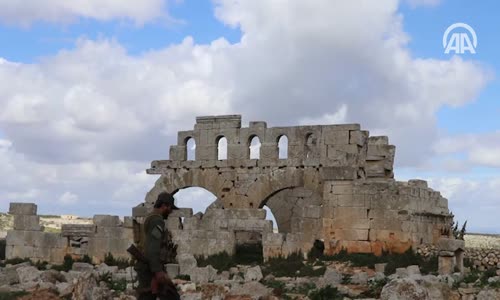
{"points": [[26, 12]]}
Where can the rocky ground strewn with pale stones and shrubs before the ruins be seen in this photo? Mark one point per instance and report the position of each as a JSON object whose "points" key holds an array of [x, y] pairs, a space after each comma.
{"points": [[339, 281]]}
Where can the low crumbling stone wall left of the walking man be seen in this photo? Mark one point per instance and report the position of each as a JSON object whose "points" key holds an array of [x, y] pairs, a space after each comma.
{"points": [[28, 240]]}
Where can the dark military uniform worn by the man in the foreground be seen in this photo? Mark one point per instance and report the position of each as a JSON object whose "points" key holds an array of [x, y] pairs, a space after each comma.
{"points": [[153, 243]]}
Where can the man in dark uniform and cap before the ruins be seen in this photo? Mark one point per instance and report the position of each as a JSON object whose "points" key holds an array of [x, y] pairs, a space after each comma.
{"points": [[153, 280]]}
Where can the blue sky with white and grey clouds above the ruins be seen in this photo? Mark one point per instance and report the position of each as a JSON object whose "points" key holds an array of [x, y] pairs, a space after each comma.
{"points": [[93, 91]]}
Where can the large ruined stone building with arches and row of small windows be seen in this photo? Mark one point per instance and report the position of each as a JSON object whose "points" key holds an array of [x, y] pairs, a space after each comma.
{"points": [[335, 184]]}
